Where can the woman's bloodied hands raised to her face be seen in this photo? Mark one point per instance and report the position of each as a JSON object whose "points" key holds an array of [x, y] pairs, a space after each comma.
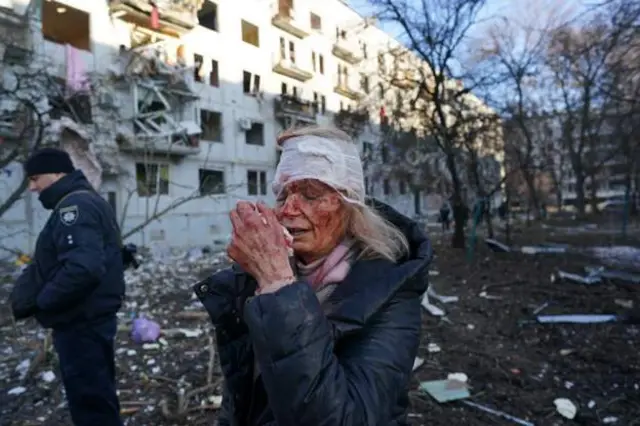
{"points": [[258, 244]]}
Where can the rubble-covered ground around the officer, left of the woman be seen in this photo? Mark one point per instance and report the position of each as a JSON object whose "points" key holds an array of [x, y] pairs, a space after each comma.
{"points": [[168, 372]]}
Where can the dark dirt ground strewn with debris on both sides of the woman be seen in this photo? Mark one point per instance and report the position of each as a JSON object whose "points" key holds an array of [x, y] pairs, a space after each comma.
{"points": [[513, 364]]}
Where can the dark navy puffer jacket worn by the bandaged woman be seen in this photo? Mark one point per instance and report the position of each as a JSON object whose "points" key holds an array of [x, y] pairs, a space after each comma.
{"points": [[345, 363]]}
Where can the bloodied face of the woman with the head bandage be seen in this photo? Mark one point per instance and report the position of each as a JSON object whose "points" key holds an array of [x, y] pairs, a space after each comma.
{"points": [[315, 215]]}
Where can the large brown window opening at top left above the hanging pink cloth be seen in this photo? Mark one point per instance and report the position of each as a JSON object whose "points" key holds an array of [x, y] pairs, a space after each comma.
{"points": [[64, 24]]}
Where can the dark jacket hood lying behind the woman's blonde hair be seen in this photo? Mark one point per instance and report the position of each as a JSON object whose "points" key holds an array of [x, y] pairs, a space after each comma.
{"points": [[419, 244]]}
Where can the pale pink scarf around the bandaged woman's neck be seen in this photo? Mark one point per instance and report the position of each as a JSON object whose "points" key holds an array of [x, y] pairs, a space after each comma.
{"points": [[330, 269]]}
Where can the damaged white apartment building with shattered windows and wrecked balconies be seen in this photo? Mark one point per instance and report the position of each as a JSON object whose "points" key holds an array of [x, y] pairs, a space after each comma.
{"points": [[172, 106]]}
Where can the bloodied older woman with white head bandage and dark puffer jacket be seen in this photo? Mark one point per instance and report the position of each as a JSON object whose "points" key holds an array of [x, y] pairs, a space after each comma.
{"points": [[329, 336]]}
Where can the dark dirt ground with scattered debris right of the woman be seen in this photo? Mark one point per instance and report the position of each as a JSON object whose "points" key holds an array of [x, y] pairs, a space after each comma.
{"points": [[518, 366]]}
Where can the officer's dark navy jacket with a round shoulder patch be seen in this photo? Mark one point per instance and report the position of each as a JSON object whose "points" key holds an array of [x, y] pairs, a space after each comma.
{"points": [[78, 257]]}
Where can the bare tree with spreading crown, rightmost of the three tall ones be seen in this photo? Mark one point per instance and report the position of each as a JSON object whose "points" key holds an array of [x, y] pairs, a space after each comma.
{"points": [[580, 60]]}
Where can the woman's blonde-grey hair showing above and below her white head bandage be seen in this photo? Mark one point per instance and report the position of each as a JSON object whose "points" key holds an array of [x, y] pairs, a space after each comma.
{"points": [[376, 237]]}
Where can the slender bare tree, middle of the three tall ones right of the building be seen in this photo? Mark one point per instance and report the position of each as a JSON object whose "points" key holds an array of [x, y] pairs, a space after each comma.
{"points": [[518, 49]]}
